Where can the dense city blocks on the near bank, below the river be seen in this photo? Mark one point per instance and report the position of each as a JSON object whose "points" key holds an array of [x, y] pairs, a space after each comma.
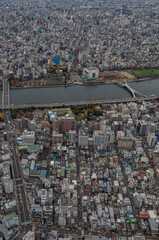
{"points": [[89, 172]]}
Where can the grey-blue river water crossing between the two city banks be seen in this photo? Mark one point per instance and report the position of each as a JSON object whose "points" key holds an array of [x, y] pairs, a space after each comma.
{"points": [[80, 93]]}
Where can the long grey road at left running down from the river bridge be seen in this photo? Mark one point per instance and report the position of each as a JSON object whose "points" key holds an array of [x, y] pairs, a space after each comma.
{"points": [[23, 212]]}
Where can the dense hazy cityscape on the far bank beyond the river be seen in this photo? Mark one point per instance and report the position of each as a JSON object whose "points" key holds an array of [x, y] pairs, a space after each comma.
{"points": [[54, 41]]}
